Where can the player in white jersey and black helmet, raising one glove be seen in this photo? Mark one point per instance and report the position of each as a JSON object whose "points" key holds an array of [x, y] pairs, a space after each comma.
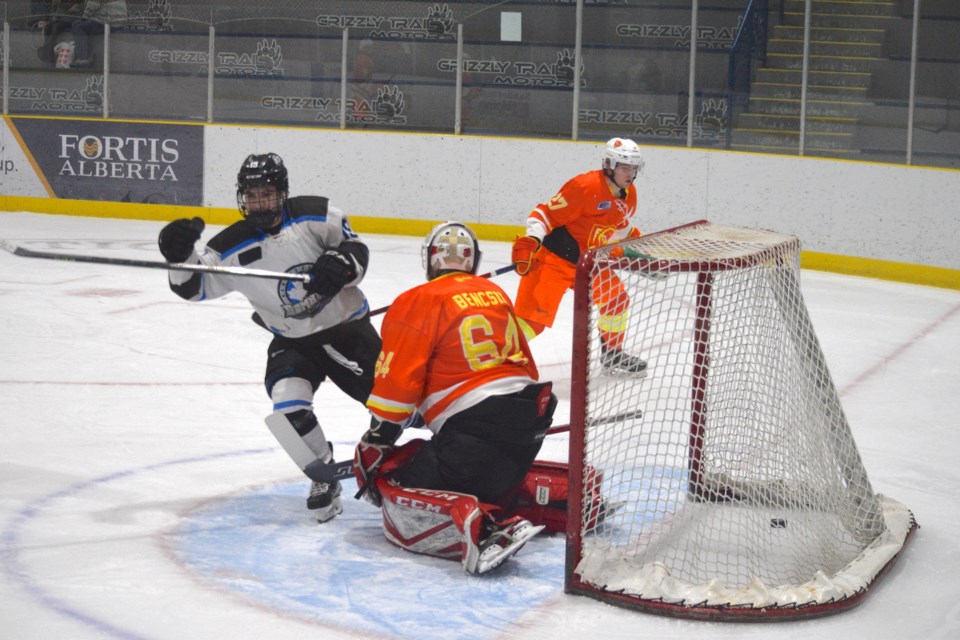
{"points": [[321, 329]]}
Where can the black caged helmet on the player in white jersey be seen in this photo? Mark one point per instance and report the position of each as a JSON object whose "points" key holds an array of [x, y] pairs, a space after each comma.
{"points": [[262, 188]]}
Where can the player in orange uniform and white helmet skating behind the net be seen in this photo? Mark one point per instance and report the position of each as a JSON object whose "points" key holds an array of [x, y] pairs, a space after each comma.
{"points": [[591, 209]]}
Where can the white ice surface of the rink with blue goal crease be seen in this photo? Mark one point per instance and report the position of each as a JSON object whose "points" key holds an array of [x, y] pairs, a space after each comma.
{"points": [[142, 496]]}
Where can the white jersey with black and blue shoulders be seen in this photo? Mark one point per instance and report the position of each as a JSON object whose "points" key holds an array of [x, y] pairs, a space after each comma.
{"points": [[310, 228]]}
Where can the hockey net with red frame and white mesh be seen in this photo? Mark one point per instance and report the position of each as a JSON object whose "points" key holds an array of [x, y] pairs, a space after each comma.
{"points": [[732, 486]]}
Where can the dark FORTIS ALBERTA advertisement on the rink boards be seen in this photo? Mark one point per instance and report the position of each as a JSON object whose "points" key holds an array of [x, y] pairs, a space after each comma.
{"points": [[115, 161]]}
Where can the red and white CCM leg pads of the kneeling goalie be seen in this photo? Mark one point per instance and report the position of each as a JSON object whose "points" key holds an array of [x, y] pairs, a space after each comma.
{"points": [[457, 526]]}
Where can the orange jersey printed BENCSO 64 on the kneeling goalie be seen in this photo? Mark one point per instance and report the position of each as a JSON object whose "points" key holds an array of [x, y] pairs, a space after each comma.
{"points": [[447, 345]]}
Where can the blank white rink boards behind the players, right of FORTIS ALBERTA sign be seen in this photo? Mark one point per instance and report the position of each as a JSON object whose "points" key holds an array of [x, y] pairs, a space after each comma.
{"points": [[868, 210]]}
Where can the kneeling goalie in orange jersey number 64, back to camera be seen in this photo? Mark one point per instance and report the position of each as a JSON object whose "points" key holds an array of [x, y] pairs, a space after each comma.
{"points": [[454, 360]]}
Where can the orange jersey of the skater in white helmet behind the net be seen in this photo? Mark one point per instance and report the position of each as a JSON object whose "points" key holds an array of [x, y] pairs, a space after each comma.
{"points": [[590, 213]]}
